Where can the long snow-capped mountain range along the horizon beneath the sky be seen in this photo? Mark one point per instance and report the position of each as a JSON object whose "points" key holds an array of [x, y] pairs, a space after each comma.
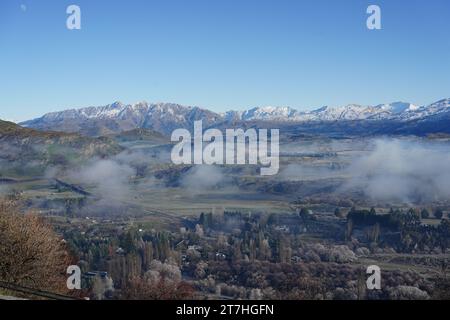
{"points": [[165, 117]]}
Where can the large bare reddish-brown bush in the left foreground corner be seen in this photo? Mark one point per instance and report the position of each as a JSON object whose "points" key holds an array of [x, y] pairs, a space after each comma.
{"points": [[31, 253]]}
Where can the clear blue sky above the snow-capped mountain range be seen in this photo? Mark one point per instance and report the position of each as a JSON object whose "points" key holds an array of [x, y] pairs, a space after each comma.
{"points": [[221, 54]]}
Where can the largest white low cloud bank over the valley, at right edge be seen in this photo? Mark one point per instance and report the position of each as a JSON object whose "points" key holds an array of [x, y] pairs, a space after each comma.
{"points": [[410, 171]]}
